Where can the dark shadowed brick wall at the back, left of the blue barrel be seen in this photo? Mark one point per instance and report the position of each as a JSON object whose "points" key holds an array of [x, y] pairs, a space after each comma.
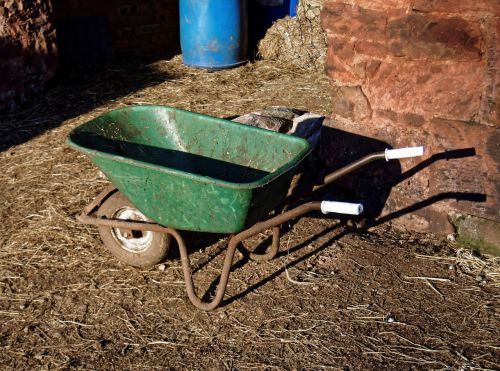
{"points": [[134, 27]]}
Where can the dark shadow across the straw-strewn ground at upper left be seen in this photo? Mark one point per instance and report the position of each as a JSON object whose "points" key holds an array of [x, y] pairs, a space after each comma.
{"points": [[75, 92]]}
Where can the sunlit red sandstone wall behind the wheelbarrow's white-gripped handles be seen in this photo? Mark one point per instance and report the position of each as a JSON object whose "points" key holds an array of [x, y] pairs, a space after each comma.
{"points": [[422, 72]]}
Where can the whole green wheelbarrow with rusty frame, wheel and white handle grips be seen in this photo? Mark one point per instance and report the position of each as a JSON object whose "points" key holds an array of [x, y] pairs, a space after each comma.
{"points": [[173, 170]]}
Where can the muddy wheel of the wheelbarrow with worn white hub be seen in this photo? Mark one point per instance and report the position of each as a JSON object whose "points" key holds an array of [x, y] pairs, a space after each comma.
{"points": [[141, 249]]}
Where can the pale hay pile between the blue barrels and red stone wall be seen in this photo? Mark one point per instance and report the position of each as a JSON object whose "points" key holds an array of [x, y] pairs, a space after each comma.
{"points": [[299, 40]]}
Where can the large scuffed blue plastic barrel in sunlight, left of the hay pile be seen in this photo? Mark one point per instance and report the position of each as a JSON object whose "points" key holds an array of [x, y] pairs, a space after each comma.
{"points": [[214, 33]]}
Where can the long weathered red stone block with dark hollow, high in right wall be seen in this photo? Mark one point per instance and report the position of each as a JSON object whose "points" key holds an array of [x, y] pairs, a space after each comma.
{"points": [[412, 37]]}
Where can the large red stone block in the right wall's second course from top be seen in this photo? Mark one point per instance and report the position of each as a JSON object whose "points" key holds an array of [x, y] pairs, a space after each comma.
{"points": [[452, 91]]}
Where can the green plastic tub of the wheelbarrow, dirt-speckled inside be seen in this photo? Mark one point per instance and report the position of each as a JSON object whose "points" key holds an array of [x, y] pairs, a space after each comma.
{"points": [[190, 171]]}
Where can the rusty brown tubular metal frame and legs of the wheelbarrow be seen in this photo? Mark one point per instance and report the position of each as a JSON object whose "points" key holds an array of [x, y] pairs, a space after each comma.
{"points": [[273, 223]]}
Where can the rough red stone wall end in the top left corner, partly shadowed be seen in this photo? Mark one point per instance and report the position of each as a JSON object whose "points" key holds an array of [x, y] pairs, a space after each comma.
{"points": [[27, 51]]}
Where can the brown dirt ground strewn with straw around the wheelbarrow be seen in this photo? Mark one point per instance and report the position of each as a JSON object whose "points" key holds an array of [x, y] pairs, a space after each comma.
{"points": [[336, 297]]}
